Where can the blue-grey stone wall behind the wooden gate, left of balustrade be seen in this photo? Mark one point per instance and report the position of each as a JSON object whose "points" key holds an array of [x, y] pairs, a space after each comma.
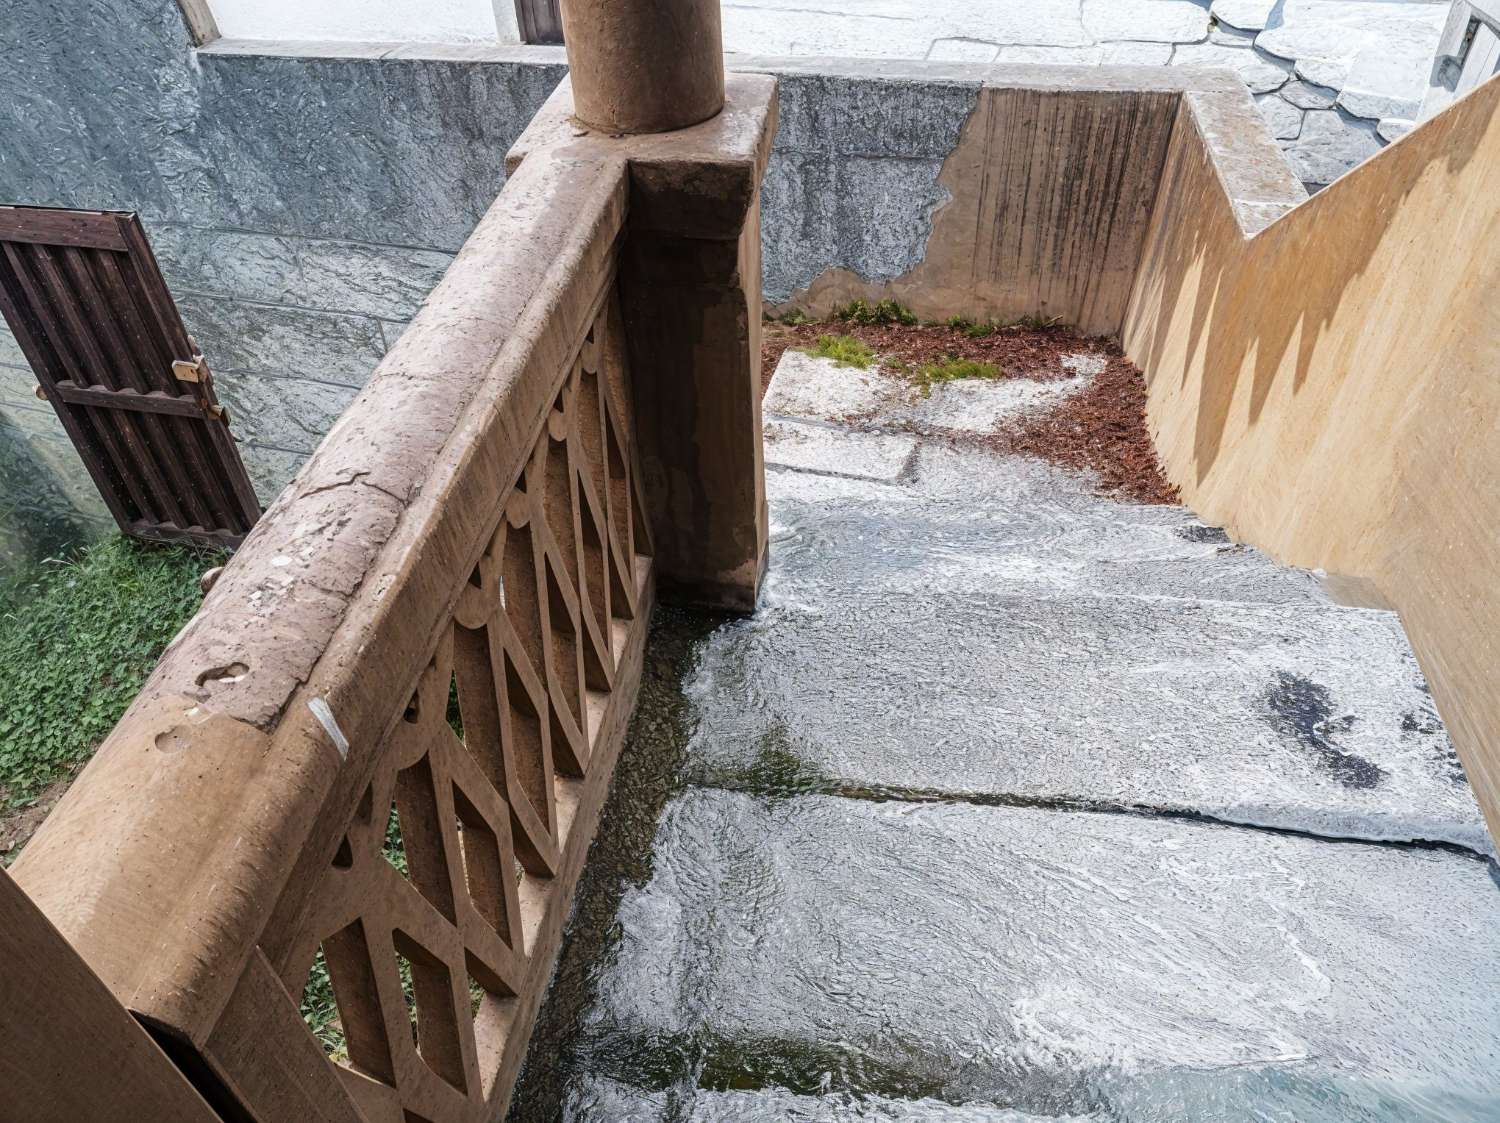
{"points": [[301, 211]]}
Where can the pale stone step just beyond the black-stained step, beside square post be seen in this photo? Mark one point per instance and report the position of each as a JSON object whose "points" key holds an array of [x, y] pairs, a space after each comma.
{"points": [[971, 521]]}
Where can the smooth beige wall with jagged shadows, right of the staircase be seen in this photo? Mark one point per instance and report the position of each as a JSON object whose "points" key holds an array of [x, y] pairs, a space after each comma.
{"points": [[1330, 388]]}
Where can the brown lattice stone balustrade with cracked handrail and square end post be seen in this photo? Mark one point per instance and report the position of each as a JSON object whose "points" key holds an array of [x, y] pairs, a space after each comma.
{"points": [[440, 620]]}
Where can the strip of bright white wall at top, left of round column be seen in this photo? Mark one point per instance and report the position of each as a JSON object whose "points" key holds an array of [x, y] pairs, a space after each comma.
{"points": [[368, 20]]}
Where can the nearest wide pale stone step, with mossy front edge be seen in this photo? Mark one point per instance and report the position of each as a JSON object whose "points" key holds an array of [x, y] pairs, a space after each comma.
{"points": [[1039, 962]]}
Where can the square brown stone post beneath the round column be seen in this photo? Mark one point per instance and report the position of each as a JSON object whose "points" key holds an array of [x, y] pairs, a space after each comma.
{"points": [[691, 293]]}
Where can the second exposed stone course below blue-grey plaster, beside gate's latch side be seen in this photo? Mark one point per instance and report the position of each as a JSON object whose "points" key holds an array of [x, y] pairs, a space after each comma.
{"points": [[281, 341]]}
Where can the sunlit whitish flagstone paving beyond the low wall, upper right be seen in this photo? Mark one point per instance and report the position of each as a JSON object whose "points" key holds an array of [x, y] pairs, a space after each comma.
{"points": [[1336, 79]]}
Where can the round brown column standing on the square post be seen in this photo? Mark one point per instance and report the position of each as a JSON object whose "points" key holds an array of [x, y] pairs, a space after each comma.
{"points": [[644, 65]]}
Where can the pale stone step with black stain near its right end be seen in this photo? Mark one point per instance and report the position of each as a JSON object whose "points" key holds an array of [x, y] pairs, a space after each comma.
{"points": [[1294, 717]]}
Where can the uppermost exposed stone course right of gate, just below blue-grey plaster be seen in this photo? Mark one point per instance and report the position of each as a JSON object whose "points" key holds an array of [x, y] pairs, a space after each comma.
{"points": [[388, 283]]}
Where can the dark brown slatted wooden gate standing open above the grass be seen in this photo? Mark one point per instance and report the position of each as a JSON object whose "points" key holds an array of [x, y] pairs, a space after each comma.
{"points": [[89, 308]]}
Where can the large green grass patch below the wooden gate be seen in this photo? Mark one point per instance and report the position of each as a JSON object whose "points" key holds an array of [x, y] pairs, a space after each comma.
{"points": [[77, 641]]}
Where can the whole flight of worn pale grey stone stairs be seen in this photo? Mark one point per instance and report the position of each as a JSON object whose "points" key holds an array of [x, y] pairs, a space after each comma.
{"points": [[1016, 803]]}
